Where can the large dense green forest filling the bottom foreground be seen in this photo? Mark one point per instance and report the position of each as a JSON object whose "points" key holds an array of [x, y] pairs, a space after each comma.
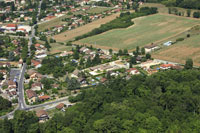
{"points": [[164, 102]]}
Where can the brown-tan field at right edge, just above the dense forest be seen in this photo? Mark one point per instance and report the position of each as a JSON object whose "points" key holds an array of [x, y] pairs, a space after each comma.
{"points": [[181, 51]]}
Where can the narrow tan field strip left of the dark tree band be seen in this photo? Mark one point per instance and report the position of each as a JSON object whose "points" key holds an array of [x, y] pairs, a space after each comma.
{"points": [[69, 35]]}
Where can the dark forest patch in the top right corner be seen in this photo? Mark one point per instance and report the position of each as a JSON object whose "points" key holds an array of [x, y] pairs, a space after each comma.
{"points": [[191, 4]]}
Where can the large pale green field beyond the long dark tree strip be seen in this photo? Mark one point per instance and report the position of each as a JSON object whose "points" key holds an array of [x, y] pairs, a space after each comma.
{"points": [[146, 30]]}
